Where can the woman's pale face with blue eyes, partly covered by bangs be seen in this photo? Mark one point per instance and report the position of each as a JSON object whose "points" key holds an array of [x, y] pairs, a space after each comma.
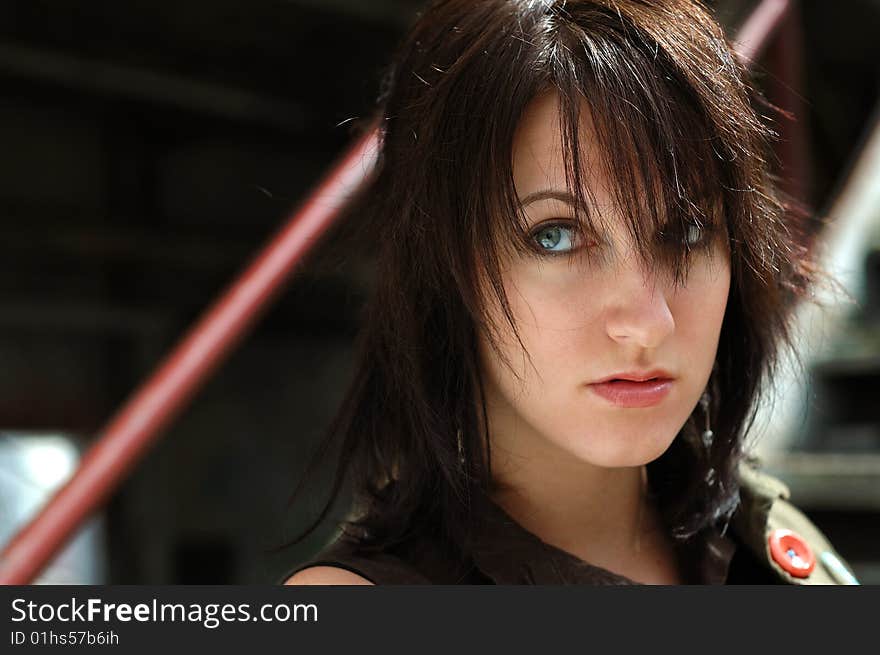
{"points": [[593, 313]]}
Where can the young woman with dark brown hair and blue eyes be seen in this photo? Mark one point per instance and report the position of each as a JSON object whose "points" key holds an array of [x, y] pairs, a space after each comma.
{"points": [[585, 277]]}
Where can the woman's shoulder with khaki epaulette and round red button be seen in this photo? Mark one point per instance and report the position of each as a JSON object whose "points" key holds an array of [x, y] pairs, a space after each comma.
{"points": [[780, 535]]}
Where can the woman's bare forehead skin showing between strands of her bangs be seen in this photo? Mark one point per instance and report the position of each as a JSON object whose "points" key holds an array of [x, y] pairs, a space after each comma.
{"points": [[537, 150]]}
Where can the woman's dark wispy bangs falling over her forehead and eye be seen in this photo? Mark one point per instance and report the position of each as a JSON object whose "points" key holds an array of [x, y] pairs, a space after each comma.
{"points": [[653, 141]]}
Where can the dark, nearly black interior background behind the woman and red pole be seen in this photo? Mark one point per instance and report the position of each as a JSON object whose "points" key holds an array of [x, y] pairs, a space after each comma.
{"points": [[147, 149]]}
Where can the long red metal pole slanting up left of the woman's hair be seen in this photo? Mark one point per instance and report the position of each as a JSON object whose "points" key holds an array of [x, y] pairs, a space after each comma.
{"points": [[150, 409]]}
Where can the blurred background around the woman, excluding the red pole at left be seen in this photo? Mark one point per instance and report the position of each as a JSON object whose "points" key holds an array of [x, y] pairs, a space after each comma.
{"points": [[149, 148]]}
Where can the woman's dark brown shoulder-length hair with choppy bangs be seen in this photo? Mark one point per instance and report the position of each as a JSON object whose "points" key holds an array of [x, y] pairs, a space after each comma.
{"points": [[673, 112]]}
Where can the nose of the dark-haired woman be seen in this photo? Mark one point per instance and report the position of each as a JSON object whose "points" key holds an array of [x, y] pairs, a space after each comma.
{"points": [[638, 313]]}
